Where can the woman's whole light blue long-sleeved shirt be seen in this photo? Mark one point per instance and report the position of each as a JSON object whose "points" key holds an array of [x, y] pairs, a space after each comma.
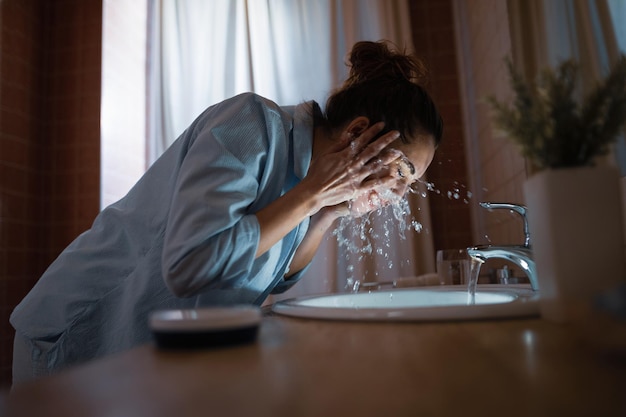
{"points": [[184, 236]]}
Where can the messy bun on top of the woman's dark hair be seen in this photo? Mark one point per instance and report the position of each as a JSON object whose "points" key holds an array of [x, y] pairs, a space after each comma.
{"points": [[382, 61]]}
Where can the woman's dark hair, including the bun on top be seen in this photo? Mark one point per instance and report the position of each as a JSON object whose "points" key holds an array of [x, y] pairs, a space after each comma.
{"points": [[385, 85]]}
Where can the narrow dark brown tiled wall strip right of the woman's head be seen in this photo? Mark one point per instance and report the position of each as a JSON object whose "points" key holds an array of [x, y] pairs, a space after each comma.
{"points": [[434, 41]]}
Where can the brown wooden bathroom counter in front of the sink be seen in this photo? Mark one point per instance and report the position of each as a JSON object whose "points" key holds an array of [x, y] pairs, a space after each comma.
{"points": [[297, 367]]}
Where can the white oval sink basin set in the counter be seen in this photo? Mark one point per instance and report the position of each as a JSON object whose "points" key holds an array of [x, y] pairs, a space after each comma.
{"points": [[450, 302]]}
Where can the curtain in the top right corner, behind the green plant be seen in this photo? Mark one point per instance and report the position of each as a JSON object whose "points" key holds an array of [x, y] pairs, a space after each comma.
{"points": [[543, 33]]}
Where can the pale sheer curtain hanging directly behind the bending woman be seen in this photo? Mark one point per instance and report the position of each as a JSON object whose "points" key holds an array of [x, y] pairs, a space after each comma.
{"points": [[289, 51]]}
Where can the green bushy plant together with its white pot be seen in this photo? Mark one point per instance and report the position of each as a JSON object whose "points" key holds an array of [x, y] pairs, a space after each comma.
{"points": [[573, 195]]}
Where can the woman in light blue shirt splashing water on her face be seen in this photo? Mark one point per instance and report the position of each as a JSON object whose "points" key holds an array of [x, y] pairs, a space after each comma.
{"points": [[234, 210]]}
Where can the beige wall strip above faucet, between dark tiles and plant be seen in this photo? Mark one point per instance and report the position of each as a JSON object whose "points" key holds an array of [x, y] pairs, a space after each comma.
{"points": [[497, 170]]}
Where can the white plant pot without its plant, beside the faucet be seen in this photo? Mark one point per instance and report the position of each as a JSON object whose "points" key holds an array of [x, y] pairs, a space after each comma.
{"points": [[575, 221]]}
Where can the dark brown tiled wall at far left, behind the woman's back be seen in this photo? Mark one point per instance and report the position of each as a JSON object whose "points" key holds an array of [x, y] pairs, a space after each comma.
{"points": [[50, 68]]}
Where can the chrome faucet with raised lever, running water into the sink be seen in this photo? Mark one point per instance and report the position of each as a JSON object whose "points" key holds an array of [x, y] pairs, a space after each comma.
{"points": [[520, 255]]}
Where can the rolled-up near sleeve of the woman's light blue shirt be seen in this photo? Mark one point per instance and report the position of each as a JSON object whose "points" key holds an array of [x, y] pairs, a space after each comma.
{"points": [[212, 234]]}
